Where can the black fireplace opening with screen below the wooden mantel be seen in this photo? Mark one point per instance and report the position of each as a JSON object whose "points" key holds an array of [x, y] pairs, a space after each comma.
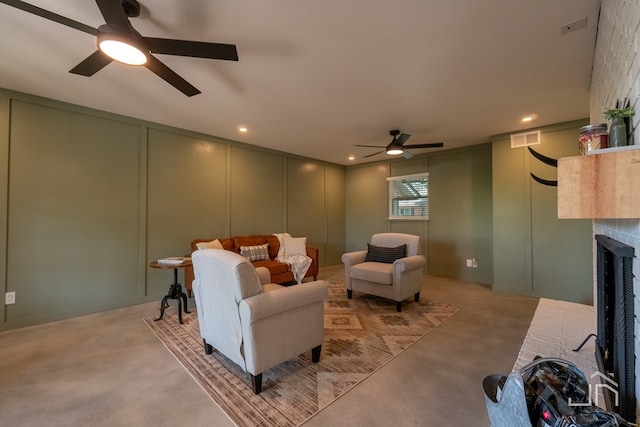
{"points": [[615, 350]]}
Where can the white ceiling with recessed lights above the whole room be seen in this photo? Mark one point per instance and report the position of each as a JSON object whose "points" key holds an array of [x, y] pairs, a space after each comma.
{"points": [[316, 78]]}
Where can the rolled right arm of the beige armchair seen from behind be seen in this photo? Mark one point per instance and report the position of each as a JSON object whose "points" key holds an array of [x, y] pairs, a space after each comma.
{"points": [[266, 304]]}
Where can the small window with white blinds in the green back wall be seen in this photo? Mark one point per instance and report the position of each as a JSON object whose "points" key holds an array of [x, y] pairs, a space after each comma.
{"points": [[409, 197]]}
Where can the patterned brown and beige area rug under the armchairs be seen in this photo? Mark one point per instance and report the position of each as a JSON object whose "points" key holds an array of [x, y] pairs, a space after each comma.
{"points": [[361, 336]]}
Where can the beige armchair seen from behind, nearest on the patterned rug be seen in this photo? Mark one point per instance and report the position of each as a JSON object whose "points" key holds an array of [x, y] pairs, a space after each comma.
{"points": [[256, 324]]}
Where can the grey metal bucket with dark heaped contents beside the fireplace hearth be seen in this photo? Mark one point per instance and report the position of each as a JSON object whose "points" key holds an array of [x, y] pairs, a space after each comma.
{"points": [[556, 394]]}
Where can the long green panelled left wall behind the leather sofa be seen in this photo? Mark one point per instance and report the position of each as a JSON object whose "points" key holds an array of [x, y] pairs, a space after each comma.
{"points": [[89, 199]]}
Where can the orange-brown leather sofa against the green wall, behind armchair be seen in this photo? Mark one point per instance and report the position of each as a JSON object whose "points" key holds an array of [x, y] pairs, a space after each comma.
{"points": [[280, 272]]}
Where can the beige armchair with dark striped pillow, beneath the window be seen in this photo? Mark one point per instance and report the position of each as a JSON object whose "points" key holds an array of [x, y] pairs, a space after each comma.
{"points": [[389, 268]]}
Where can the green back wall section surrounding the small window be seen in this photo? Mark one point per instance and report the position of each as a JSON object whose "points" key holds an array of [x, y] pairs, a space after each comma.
{"points": [[460, 209]]}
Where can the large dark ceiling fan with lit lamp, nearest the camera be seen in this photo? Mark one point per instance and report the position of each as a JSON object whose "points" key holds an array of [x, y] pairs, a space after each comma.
{"points": [[118, 40]]}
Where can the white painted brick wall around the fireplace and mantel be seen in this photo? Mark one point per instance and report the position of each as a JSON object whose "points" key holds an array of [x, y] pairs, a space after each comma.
{"points": [[616, 75]]}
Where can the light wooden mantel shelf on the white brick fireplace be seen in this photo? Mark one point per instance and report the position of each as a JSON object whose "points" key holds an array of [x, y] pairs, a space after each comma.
{"points": [[605, 185]]}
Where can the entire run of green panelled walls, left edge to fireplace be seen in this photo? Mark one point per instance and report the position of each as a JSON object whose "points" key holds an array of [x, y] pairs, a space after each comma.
{"points": [[89, 198]]}
